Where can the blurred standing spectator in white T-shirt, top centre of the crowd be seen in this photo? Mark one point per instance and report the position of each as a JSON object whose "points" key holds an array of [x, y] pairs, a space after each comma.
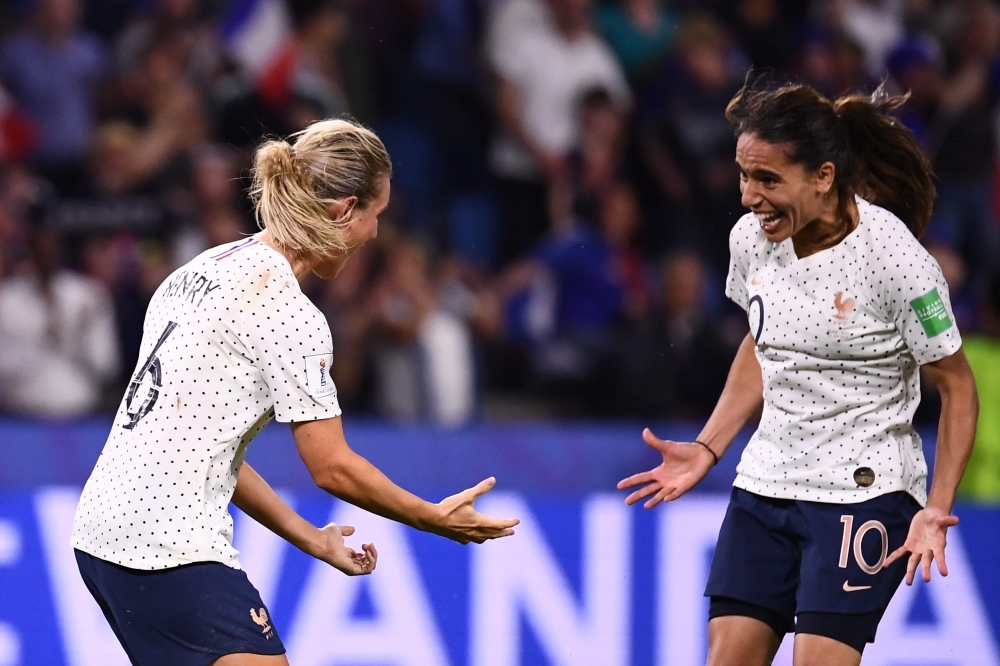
{"points": [[543, 70]]}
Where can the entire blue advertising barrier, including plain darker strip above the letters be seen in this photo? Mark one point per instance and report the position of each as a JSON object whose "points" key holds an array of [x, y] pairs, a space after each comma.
{"points": [[586, 580]]}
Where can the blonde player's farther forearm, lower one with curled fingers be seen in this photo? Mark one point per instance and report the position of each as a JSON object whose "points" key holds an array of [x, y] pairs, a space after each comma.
{"points": [[254, 497]]}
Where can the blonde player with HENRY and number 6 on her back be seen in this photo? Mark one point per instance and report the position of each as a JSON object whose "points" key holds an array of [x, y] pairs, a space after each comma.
{"points": [[230, 342]]}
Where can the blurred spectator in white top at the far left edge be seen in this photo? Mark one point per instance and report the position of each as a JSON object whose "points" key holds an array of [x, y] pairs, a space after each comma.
{"points": [[57, 337]]}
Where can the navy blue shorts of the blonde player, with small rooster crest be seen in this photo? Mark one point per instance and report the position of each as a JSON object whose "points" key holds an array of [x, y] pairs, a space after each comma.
{"points": [[185, 616]]}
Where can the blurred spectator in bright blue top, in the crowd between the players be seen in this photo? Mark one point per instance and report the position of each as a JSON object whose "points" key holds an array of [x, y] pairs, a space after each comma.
{"points": [[568, 301]]}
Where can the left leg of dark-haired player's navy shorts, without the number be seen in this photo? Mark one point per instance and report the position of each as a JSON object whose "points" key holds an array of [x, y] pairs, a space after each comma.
{"points": [[757, 558]]}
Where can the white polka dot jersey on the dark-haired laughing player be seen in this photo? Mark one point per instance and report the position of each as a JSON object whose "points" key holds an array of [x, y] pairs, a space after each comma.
{"points": [[840, 336]]}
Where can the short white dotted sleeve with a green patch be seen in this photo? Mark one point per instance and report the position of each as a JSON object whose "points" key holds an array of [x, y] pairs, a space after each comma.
{"points": [[915, 296]]}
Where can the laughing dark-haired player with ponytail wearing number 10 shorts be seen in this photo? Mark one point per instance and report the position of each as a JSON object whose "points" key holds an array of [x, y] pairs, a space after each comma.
{"points": [[844, 306]]}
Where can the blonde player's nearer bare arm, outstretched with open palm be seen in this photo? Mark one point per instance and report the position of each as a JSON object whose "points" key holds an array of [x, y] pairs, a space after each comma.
{"points": [[343, 473]]}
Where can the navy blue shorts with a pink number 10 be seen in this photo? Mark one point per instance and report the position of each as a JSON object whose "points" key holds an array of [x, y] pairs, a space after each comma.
{"points": [[794, 557]]}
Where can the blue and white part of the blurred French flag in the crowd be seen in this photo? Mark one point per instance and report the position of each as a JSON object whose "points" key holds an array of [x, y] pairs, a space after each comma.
{"points": [[256, 32]]}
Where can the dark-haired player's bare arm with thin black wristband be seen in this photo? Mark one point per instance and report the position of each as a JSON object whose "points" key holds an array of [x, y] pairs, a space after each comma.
{"points": [[685, 464]]}
